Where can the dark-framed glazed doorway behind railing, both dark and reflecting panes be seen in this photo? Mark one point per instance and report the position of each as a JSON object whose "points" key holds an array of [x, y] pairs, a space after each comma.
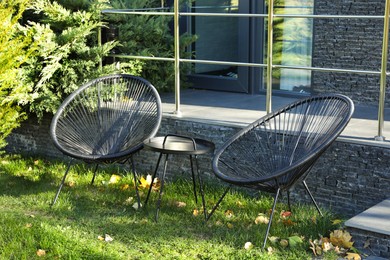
{"points": [[243, 39]]}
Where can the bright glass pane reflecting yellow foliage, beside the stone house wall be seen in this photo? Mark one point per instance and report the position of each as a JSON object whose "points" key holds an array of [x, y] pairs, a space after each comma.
{"points": [[292, 45]]}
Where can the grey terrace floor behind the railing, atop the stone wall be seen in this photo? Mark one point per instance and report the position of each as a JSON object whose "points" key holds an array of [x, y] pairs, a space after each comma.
{"points": [[239, 109]]}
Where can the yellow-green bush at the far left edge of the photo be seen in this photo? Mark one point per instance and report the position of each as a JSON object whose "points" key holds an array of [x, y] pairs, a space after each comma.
{"points": [[14, 51]]}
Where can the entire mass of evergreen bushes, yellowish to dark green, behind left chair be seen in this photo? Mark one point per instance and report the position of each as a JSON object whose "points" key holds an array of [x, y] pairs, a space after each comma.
{"points": [[50, 48]]}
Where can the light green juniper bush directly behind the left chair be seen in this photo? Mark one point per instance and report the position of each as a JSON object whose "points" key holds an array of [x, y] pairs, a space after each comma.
{"points": [[67, 53]]}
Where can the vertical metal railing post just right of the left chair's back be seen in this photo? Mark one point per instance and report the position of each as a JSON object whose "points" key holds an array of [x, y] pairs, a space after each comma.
{"points": [[177, 58]]}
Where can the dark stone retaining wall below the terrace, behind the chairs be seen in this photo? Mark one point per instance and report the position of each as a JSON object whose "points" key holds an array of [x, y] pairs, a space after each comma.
{"points": [[348, 178]]}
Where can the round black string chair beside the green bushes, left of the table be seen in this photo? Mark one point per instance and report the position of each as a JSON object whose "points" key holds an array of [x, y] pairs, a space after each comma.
{"points": [[106, 121]]}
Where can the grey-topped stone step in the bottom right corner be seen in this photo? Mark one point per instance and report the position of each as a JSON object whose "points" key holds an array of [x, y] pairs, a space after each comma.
{"points": [[370, 230]]}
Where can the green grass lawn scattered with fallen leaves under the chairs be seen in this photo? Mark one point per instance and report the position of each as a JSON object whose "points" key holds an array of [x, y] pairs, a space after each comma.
{"points": [[100, 222]]}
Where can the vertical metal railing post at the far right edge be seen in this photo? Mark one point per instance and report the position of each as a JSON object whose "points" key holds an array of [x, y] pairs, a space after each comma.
{"points": [[382, 92]]}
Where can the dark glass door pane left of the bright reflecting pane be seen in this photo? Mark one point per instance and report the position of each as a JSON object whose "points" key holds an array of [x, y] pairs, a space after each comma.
{"points": [[220, 38]]}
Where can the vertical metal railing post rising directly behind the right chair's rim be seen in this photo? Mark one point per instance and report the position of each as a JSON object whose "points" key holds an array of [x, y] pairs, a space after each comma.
{"points": [[269, 55]]}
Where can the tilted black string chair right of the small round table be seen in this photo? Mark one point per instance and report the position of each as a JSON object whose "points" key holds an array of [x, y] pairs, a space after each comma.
{"points": [[277, 151]]}
